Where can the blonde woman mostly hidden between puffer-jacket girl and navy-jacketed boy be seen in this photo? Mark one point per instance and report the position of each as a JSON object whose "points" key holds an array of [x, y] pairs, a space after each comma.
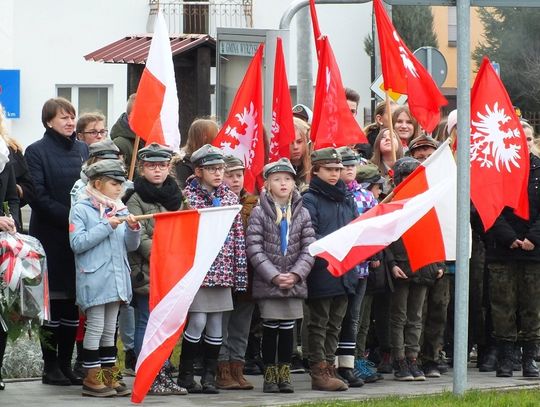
{"points": [[300, 153]]}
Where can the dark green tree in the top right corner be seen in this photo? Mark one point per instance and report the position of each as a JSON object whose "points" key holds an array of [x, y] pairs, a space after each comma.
{"points": [[512, 39]]}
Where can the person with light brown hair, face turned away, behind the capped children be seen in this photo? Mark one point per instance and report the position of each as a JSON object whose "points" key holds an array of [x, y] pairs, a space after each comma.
{"points": [[201, 132]]}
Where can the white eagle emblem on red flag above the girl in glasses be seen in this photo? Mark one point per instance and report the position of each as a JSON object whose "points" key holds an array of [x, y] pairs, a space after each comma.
{"points": [[238, 140]]}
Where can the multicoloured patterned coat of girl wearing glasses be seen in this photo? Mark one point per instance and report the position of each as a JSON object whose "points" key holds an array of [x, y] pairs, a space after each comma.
{"points": [[230, 267]]}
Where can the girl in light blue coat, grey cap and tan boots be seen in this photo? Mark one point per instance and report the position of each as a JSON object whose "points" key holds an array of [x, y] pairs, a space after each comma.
{"points": [[100, 242]]}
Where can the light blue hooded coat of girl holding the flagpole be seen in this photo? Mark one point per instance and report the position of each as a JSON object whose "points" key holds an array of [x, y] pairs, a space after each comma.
{"points": [[103, 274]]}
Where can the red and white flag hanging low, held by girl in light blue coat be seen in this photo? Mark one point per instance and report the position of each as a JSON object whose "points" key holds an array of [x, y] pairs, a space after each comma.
{"points": [[184, 246]]}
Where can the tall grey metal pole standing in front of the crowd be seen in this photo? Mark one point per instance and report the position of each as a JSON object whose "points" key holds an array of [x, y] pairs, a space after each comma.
{"points": [[463, 198]]}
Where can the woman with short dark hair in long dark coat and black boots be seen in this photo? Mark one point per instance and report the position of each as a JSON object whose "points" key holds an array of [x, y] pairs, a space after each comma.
{"points": [[55, 163]]}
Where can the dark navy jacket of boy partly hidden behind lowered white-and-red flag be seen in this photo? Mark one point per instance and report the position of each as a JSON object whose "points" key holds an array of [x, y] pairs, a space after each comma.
{"points": [[330, 208]]}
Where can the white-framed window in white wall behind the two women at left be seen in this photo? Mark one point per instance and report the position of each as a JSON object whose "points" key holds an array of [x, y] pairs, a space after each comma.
{"points": [[87, 98]]}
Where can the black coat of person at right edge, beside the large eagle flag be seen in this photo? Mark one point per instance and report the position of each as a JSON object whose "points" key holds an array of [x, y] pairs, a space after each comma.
{"points": [[508, 227]]}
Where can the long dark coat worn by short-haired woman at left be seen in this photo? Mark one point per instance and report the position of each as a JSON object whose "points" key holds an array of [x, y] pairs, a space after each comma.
{"points": [[55, 164]]}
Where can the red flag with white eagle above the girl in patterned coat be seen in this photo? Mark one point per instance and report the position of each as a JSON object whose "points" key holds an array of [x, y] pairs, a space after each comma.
{"points": [[242, 133]]}
